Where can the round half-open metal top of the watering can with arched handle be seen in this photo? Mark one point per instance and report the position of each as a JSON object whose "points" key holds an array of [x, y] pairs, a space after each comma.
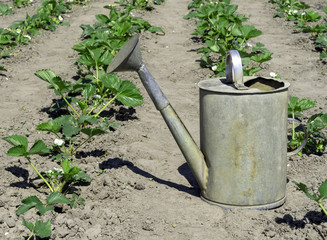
{"points": [[236, 83]]}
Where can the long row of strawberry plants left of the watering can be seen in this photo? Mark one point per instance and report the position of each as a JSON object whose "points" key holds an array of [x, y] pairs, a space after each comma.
{"points": [[79, 112]]}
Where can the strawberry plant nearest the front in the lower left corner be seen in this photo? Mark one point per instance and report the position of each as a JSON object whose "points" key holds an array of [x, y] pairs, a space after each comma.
{"points": [[70, 175]]}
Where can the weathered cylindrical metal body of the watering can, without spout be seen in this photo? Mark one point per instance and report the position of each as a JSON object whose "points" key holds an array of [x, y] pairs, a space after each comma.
{"points": [[243, 137]]}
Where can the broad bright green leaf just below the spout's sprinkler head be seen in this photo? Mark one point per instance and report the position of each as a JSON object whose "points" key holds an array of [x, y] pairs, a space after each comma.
{"points": [[129, 95]]}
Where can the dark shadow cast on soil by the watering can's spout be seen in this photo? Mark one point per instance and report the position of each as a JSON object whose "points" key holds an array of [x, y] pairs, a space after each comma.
{"points": [[184, 170]]}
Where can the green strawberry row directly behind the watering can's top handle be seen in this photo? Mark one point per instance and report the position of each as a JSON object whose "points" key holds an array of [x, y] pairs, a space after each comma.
{"points": [[221, 29]]}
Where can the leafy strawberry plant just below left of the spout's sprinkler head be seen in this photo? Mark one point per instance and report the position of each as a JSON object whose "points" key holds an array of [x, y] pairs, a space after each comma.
{"points": [[96, 94]]}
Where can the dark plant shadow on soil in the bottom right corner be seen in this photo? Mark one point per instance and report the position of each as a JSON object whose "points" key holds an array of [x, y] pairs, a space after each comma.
{"points": [[312, 218]]}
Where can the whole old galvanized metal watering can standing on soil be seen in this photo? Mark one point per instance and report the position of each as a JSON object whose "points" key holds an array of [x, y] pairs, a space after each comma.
{"points": [[243, 132]]}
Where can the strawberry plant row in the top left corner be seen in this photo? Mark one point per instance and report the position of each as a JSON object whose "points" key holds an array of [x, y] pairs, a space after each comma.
{"points": [[49, 16]]}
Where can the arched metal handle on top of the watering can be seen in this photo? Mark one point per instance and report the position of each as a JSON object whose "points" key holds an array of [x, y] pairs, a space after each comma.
{"points": [[234, 70]]}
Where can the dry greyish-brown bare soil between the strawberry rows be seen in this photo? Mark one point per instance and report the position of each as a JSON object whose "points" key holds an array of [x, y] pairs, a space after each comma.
{"points": [[147, 190]]}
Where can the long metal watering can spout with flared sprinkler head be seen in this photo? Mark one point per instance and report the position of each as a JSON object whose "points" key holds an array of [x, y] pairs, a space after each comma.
{"points": [[129, 59]]}
